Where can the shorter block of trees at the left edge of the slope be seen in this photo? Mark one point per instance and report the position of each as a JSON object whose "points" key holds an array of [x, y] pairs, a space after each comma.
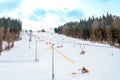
{"points": [[9, 32]]}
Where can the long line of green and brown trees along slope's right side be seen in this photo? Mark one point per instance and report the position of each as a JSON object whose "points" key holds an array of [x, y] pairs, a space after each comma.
{"points": [[105, 29]]}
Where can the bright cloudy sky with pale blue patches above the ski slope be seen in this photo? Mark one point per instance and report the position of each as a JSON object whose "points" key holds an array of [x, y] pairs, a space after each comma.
{"points": [[46, 14]]}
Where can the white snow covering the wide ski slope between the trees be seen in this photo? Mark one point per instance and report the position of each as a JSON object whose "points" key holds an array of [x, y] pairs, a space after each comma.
{"points": [[19, 63]]}
